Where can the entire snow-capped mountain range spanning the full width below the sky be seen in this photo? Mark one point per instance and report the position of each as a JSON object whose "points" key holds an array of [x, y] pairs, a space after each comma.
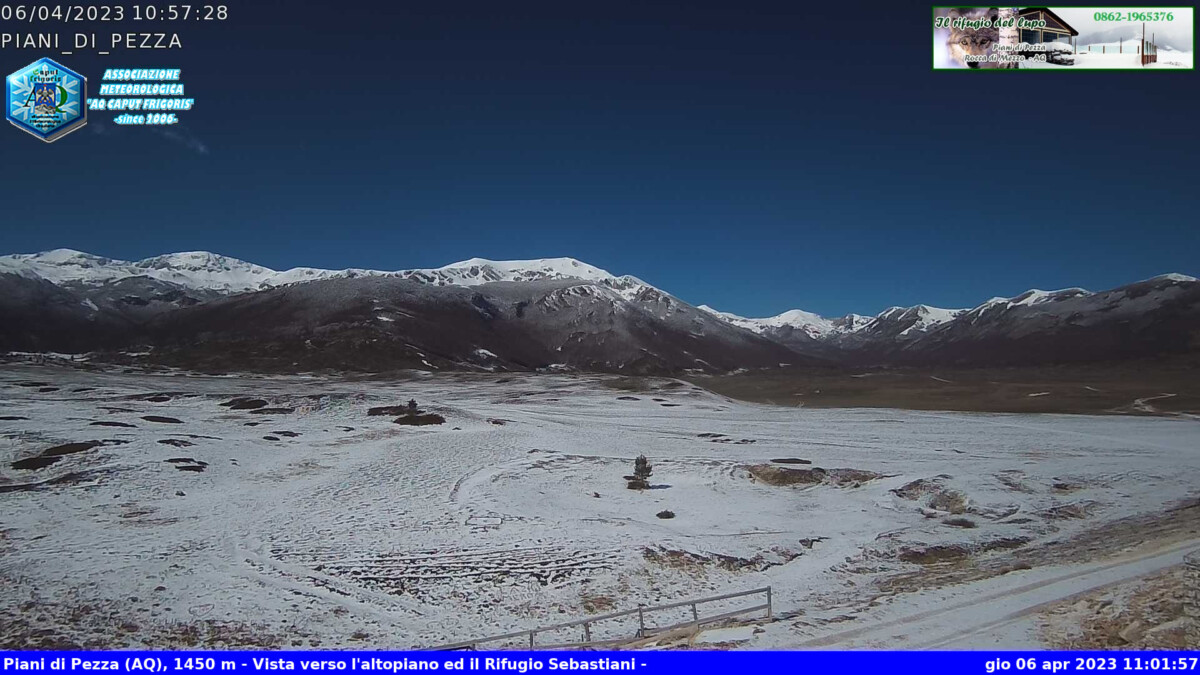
{"points": [[559, 313]]}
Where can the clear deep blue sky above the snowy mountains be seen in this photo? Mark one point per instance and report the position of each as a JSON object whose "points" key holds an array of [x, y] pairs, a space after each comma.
{"points": [[757, 158]]}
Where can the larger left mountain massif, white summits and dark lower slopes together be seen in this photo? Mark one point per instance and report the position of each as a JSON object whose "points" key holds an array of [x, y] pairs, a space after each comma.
{"points": [[477, 314]]}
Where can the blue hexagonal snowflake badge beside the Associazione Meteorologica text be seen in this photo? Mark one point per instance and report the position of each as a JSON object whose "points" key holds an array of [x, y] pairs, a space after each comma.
{"points": [[47, 99]]}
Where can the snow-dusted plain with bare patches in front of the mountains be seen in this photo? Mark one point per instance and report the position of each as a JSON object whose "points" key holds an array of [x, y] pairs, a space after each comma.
{"points": [[314, 524]]}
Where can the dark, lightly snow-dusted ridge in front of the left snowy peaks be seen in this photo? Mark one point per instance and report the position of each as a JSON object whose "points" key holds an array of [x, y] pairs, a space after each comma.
{"points": [[376, 325]]}
